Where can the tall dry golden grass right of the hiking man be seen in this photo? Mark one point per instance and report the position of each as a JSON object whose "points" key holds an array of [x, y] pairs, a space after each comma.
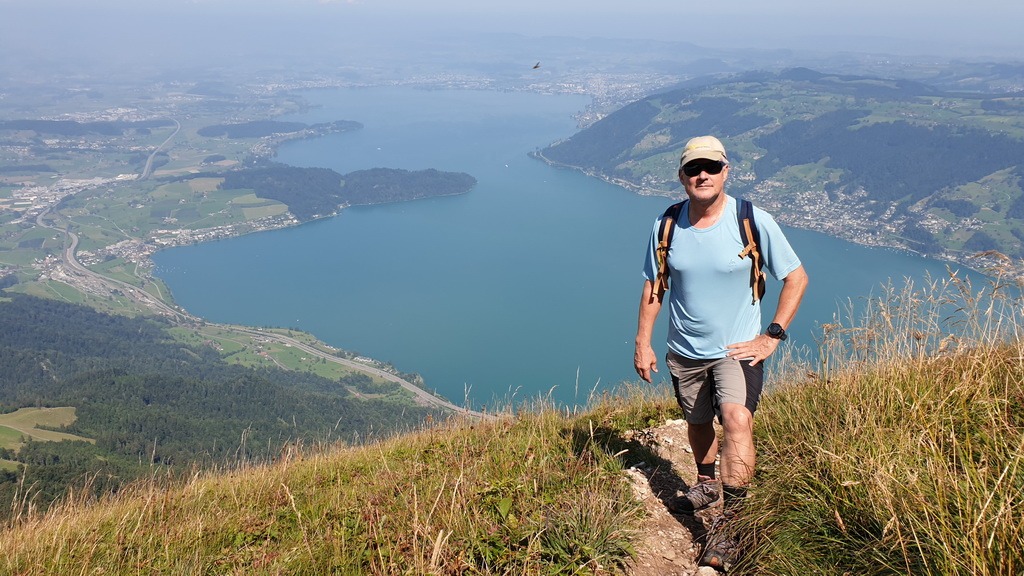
{"points": [[903, 454]]}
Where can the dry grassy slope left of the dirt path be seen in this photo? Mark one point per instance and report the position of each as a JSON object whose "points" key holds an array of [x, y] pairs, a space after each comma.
{"points": [[535, 493]]}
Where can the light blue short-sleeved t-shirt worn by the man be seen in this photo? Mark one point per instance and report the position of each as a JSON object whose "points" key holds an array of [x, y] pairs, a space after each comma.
{"points": [[711, 305]]}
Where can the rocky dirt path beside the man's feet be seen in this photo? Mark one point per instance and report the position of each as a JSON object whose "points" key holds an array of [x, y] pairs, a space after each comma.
{"points": [[672, 542]]}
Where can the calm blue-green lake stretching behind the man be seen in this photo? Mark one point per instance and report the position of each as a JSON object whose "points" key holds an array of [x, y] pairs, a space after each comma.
{"points": [[527, 286]]}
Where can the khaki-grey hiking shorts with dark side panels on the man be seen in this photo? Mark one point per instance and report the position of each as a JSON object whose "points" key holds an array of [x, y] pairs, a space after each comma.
{"points": [[703, 386]]}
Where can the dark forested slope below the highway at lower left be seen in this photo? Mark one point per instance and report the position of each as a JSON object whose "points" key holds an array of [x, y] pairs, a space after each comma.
{"points": [[150, 402]]}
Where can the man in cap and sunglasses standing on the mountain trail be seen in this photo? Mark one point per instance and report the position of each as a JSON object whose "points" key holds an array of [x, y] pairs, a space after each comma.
{"points": [[716, 345]]}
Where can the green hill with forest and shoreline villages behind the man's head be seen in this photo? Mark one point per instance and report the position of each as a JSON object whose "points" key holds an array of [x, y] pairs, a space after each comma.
{"points": [[876, 161]]}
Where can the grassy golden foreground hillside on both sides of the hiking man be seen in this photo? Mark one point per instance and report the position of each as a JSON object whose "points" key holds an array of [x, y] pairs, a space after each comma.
{"points": [[898, 455]]}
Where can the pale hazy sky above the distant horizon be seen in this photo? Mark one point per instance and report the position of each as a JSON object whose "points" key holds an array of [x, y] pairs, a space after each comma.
{"points": [[983, 28]]}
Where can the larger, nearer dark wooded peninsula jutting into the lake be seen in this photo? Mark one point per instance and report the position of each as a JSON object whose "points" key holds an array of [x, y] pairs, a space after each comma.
{"points": [[311, 193]]}
